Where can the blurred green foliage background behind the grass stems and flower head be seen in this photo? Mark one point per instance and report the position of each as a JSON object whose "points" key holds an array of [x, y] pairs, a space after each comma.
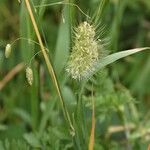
{"points": [[31, 117]]}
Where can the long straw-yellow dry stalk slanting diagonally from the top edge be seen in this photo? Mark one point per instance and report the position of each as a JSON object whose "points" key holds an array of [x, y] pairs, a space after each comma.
{"points": [[49, 65]]}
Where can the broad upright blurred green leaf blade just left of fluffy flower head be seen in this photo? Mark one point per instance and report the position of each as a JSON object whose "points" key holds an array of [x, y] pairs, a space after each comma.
{"points": [[63, 42]]}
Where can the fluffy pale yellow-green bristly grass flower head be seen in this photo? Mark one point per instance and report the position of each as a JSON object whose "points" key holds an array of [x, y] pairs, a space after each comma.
{"points": [[84, 55]]}
